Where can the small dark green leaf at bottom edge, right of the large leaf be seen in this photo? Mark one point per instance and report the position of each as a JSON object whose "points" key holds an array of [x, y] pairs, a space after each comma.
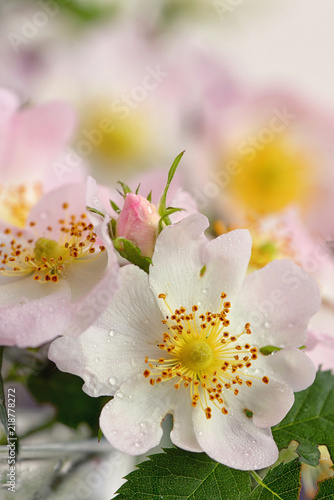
{"points": [[280, 483]]}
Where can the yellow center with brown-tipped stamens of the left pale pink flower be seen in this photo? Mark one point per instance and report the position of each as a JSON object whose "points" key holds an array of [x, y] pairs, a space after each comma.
{"points": [[44, 258]]}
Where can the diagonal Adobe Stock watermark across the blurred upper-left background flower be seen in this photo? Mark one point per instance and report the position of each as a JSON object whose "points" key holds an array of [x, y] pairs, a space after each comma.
{"points": [[120, 109]]}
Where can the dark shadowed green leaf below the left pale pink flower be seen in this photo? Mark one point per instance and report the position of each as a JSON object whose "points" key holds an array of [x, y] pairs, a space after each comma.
{"points": [[64, 391]]}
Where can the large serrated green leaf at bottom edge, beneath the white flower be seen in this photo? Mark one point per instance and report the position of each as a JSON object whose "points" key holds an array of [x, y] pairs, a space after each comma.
{"points": [[177, 474]]}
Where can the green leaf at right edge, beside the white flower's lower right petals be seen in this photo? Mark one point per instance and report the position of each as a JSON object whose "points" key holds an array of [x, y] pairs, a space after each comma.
{"points": [[310, 421]]}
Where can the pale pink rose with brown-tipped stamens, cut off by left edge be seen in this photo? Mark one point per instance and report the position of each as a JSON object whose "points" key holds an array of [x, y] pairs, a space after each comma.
{"points": [[57, 274]]}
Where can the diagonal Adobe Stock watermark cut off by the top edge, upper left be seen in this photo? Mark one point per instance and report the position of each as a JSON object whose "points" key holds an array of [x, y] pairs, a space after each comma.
{"points": [[30, 27]]}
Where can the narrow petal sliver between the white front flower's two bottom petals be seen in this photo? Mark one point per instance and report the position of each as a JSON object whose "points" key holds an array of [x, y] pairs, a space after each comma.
{"points": [[183, 434]]}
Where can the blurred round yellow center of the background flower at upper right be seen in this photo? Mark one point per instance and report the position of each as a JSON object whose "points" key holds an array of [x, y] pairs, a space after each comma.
{"points": [[274, 178]]}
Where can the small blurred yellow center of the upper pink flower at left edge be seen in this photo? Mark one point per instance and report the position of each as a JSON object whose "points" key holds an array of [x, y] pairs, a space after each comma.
{"points": [[17, 201]]}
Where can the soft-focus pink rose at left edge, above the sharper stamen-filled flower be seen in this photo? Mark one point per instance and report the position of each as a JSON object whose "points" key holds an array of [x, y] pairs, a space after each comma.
{"points": [[30, 141]]}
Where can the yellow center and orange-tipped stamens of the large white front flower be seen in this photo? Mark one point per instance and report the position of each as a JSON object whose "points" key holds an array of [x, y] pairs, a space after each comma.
{"points": [[200, 354]]}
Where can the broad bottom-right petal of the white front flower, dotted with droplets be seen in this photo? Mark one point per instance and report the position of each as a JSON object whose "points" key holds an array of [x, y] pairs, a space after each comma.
{"points": [[233, 440]]}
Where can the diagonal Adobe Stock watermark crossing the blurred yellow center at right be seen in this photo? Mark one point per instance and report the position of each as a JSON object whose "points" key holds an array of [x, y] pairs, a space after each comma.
{"points": [[248, 149]]}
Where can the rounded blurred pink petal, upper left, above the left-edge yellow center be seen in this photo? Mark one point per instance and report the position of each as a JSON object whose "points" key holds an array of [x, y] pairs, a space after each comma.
{"points": [[36, 137]]}
